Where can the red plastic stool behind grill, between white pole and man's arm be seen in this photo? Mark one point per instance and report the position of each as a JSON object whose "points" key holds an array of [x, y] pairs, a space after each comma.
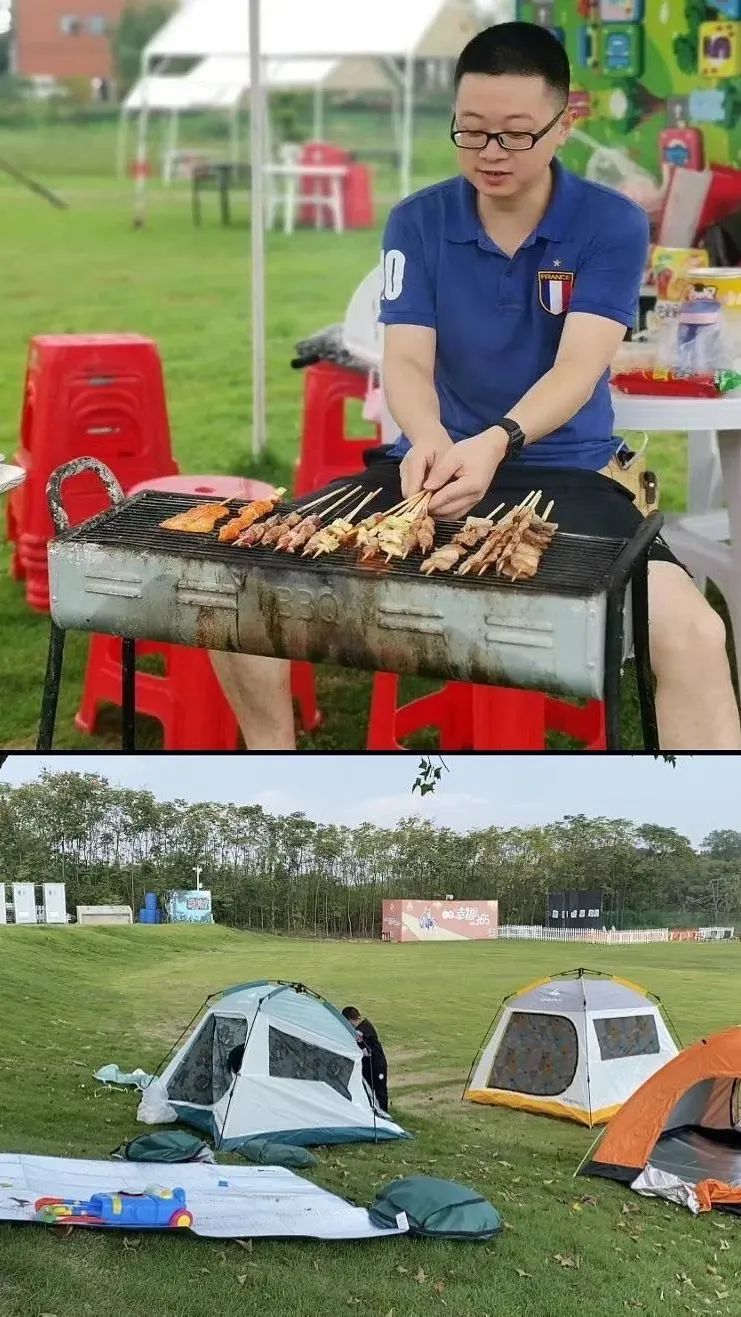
{"points": [[327, 451]]}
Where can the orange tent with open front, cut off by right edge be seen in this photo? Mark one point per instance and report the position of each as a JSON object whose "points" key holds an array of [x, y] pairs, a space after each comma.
{"points": [[684, 1125]]}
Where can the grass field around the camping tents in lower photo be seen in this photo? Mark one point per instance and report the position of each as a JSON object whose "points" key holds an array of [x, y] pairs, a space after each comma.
{"points": [[74, 1000]]}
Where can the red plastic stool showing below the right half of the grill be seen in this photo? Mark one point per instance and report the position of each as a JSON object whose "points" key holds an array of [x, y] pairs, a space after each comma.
{"points": [[486, 718]]}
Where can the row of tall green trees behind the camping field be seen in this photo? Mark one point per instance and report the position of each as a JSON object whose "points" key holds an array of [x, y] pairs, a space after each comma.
{"points": [[293, 875]]}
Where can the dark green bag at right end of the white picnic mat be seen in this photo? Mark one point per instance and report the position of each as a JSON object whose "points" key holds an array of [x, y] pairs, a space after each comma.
{"points": [[436, 1210]]}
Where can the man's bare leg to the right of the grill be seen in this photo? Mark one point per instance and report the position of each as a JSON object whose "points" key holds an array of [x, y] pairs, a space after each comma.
{"points": [[696, 704]]}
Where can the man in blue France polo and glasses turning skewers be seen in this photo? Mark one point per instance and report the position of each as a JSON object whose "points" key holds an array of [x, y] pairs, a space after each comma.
{"points": [[506, 296]]}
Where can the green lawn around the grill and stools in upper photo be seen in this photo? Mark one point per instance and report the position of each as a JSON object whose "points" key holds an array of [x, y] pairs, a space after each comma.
{"points": [[89, 271]]}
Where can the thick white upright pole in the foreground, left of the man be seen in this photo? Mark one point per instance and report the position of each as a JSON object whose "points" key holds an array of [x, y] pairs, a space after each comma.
{"points": [[257, 146]]}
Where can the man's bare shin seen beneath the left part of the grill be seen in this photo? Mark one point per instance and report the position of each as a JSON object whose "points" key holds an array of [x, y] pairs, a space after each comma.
{"points": [[260, 693]]}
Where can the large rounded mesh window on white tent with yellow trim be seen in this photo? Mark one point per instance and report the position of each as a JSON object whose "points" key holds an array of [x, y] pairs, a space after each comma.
{"points": [[538, 1056]]}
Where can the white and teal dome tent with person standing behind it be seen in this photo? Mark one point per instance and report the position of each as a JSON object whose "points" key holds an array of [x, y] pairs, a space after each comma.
{"points": [[299, 1078]]}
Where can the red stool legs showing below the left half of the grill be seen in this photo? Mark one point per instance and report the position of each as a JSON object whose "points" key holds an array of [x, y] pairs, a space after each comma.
{"points": [[188, 700]]}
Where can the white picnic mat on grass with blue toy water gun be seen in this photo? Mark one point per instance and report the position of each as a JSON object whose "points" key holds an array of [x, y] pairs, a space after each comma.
{"points": [[219, 1202]]}
